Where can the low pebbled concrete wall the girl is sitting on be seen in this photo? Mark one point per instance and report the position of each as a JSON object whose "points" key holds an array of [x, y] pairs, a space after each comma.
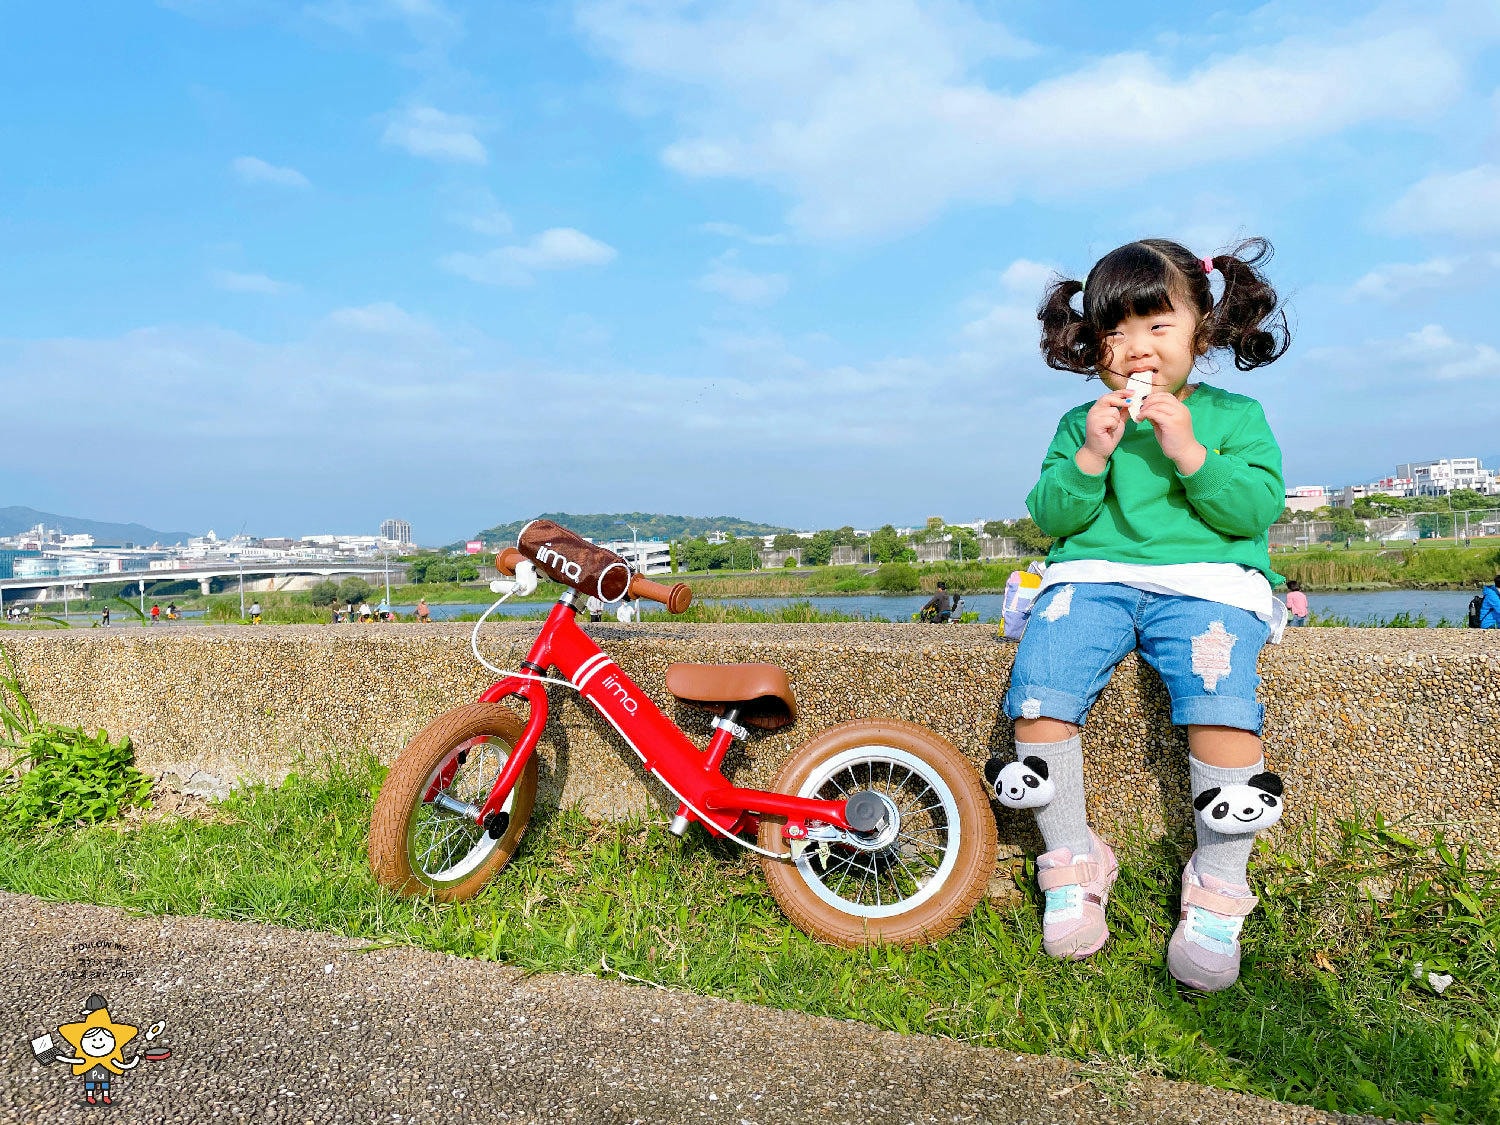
{"points": [[1400, 721]]}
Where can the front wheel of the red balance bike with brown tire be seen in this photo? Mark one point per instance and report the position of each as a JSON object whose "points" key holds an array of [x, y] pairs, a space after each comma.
{"points": [[421, 848]]}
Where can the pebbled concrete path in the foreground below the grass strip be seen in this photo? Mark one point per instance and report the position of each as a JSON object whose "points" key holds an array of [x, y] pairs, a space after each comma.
{"points": [[275, 1025]]}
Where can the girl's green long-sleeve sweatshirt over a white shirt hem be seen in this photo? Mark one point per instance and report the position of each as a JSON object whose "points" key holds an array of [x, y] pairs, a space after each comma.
{"points": [[1142, 511]]}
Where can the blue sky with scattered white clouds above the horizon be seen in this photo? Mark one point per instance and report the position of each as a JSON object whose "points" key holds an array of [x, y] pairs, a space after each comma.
{"points": [[307, 266]]}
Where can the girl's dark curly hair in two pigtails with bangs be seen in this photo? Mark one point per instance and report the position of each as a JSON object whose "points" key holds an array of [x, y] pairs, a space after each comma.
{"points": [[1151, 277]]}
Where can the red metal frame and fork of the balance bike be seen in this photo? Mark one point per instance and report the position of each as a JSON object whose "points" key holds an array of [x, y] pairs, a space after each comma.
{"points": [[689, 773]]}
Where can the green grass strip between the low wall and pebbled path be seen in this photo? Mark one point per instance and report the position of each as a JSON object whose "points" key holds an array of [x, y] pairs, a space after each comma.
{"points": [[1328, 1012]]}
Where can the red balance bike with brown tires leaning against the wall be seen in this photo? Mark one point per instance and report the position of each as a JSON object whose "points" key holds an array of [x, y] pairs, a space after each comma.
{"points": [[875, 830]]}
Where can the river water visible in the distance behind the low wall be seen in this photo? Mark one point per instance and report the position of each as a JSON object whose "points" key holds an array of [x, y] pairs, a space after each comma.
{"points": [[1357, 608]]}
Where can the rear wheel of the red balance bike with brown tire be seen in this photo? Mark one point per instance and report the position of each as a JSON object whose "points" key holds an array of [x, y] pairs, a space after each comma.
{"points": [[934, 865]]}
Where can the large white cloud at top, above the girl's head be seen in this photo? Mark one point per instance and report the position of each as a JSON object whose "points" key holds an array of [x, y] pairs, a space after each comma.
{"points": [[875, 115]]}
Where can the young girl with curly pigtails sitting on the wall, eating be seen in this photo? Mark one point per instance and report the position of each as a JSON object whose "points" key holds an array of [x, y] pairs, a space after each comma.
{"points": [[1160, 496]]}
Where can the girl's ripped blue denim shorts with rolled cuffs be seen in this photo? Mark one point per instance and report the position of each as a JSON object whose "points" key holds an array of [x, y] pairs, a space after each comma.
{"points": [[1205, 653]]}
